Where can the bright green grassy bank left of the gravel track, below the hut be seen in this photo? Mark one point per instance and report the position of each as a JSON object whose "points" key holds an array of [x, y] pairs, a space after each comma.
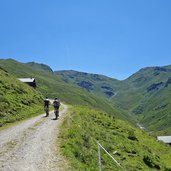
{"points": [[17, 100]]}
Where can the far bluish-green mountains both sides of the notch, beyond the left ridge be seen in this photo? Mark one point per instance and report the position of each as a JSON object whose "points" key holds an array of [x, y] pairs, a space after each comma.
{"points": [[145, 95]]}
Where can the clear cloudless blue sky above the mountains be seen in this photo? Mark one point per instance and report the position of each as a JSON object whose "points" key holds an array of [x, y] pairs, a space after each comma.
{"points": [[110, 37]]}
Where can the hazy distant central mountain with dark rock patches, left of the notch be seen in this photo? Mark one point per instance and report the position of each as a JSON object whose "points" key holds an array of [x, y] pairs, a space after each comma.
{"points": [[97, 84]]}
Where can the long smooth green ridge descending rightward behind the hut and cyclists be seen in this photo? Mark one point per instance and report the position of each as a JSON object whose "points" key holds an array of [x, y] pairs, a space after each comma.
{"points": [[51, 85]]}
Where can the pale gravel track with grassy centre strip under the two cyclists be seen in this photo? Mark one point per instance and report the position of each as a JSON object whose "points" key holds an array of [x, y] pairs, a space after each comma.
{"points": [[31, 145]]}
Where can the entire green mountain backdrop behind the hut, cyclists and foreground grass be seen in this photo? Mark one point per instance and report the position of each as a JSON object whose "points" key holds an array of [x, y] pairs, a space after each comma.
{"points": [[144, 97]]}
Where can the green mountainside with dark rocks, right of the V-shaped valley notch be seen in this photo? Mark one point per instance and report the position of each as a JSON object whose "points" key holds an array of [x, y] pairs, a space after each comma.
{"points": [[150, 103]]}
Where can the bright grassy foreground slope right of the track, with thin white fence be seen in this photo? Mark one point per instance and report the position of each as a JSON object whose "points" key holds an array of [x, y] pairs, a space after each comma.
{"points": [[131, 147]]}
